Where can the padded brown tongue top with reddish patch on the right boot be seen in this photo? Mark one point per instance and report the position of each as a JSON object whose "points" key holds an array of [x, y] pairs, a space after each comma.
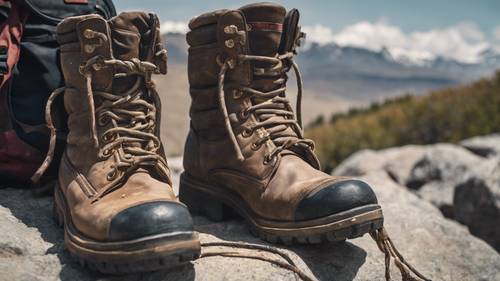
{"points": [[266, 24]]}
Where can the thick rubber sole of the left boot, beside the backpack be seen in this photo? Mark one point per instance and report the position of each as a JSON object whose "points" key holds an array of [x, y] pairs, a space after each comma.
{"points": [[144, 254]]}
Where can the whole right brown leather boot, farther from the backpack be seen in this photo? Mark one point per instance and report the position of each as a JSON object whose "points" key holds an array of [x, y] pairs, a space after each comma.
{"points": [[246, 149]]}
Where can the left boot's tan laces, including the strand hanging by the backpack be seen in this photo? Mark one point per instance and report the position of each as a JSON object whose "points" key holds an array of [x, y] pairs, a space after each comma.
{"points": [[132, 138]]}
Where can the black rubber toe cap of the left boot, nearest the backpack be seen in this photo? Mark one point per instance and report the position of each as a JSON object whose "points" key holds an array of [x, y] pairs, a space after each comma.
{"points": [[150, 219]]}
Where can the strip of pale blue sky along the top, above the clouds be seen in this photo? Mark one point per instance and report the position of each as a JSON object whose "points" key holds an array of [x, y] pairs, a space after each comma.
{"points": [[410, 15]]}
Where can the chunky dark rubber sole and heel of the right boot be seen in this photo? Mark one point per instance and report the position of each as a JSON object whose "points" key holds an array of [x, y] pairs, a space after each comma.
{"points": [[219, 203]]}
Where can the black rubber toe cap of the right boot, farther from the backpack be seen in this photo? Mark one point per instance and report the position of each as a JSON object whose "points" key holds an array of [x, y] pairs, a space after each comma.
{"points": [[335, 198]]}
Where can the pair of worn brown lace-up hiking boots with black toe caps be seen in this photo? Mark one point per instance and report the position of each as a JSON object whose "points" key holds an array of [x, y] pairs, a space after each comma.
{"points": [[245, 152]]}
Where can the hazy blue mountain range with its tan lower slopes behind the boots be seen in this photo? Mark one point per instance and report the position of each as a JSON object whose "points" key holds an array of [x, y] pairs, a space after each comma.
{"points": [[335, 79]]}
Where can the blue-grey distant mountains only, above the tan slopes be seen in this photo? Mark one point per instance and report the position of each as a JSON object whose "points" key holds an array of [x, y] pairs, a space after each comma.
{"points": [[361, 74]]}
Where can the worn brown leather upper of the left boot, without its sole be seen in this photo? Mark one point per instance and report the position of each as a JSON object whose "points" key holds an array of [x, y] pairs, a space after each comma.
{"points": [[104, 196]]}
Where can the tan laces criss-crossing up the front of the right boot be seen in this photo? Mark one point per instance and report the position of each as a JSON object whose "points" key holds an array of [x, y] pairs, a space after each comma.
{"points": [[275, 105]]}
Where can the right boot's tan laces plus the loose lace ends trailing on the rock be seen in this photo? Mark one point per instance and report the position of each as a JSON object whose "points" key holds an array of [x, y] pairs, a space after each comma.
{"points": [[275, 104]]}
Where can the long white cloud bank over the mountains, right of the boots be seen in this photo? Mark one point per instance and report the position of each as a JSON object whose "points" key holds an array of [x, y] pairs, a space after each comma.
{"points": [[462, 42]]}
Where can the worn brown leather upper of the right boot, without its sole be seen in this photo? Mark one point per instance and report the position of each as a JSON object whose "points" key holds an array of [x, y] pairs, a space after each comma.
{"points": [[272, 189]]}
